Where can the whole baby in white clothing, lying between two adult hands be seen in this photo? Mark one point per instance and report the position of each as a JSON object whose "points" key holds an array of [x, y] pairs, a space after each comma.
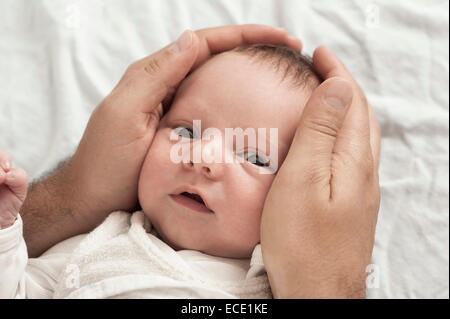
{"points": [[198, 233]]}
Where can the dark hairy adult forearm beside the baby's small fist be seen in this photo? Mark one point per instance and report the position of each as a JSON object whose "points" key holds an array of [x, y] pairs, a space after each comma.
{"points": [[55, 210]]}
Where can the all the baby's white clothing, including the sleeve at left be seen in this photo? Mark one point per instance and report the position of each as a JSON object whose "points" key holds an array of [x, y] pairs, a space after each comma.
{"points": [[121, 259]]}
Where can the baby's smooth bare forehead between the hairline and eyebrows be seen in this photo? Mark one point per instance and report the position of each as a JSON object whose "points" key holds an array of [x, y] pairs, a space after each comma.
{"points": [[233, 89]]}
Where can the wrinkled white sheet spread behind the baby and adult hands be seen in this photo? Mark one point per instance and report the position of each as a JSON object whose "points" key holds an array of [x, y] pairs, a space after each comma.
{"points": [[58, 59]]}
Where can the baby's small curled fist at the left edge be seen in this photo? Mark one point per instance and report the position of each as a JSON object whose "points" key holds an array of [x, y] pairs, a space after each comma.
{"points": [[13, 190]]}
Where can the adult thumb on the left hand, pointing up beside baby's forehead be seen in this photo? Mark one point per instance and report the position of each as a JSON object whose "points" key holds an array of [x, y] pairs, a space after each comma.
{"points": [[158, 75]]}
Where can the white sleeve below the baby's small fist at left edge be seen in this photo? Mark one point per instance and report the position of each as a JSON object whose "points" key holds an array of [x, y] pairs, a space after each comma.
{"points": [[13, 259]]}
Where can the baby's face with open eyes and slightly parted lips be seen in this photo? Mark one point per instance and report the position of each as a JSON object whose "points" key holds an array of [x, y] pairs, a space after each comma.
{"points": [[229, 91]]}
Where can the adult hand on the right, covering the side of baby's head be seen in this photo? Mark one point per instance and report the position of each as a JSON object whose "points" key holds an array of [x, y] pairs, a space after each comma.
{"points": [[320, 214]]}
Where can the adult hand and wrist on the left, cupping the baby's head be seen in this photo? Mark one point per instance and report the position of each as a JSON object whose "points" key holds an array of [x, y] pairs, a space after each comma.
{"points": [[102, 176]]}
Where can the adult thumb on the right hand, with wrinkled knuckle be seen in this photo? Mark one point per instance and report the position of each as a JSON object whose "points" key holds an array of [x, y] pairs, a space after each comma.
{"points": [[317, 132]]}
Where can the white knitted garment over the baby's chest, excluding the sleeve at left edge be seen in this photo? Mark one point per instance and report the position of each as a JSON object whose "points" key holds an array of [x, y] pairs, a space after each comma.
{"points": [[120, 259]]}
